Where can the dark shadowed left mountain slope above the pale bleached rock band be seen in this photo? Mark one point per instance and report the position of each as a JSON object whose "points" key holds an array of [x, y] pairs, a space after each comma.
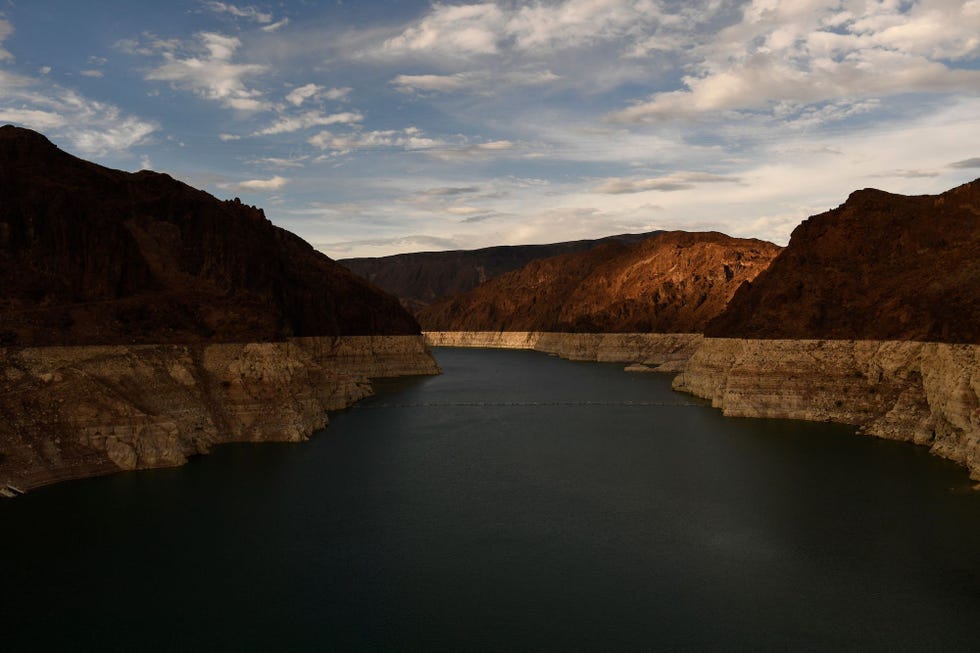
{"points": [[90, 255]]}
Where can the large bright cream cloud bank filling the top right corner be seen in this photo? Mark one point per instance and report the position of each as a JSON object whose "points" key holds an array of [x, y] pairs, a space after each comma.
{"points": [[814, 52]]}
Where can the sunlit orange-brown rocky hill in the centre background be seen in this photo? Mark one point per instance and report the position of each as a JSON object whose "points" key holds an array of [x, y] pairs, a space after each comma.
{"points": [[670, 282]]}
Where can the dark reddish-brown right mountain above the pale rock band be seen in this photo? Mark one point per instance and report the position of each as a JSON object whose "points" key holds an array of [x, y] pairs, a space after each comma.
{"points": [[878, 267]]}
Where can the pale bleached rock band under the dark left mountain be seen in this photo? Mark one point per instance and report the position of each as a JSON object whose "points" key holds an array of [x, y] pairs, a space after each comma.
{"points": [[74, 412]]}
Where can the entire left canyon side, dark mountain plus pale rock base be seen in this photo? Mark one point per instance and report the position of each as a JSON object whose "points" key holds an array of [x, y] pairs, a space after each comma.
{"points": [[143, 321]]}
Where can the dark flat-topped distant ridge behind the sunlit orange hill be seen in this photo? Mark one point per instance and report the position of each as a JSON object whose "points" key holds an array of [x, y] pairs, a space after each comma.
{"points": [[420, 278]]}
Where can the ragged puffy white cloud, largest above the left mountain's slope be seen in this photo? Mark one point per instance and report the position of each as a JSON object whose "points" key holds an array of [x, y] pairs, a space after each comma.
{"points": [[208, 71]]}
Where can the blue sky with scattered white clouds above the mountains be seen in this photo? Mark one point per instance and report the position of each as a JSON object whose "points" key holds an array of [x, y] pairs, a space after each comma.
{"points": [[381, 126]]}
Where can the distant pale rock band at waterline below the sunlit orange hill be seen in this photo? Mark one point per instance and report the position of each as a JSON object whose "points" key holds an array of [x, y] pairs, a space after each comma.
{"points": [[666, 351]]}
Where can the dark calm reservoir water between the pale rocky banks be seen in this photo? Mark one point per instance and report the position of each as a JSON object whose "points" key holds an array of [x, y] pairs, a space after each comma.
{"points": [[424, 519]]}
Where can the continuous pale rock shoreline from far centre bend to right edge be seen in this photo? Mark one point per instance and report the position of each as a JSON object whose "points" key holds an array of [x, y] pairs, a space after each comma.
{"points": [[919, 392]]}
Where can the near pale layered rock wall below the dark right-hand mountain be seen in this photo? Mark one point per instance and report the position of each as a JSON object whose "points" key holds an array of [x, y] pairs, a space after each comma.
{"points": [[926, 393]]}
